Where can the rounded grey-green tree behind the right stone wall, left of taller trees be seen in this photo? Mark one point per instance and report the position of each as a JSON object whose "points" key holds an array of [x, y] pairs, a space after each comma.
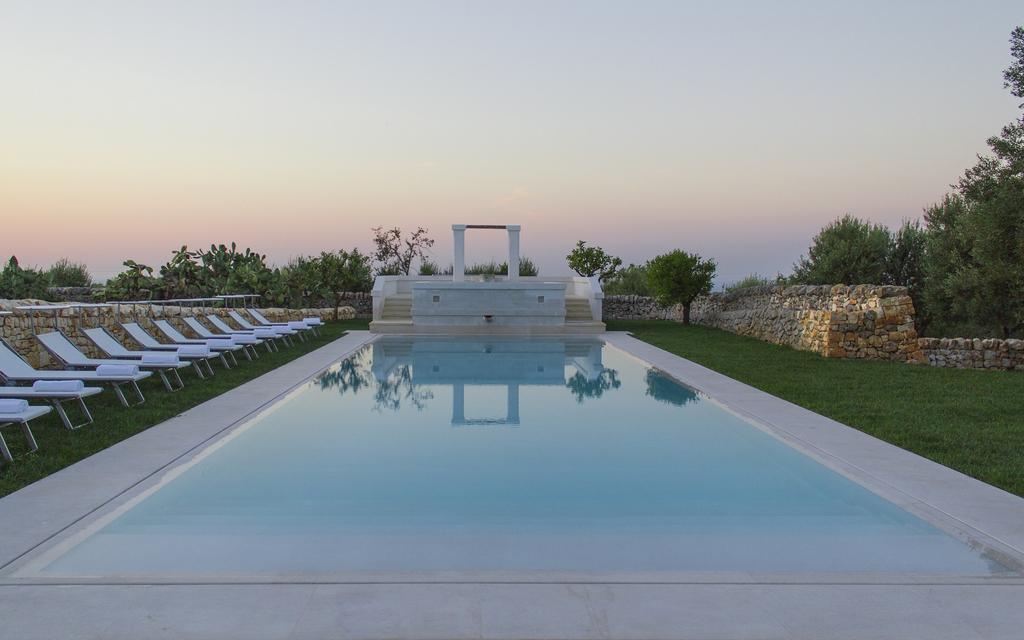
{"points": [[848, 251]]}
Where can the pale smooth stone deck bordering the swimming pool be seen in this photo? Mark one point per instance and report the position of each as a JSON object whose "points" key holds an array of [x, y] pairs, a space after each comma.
{"points": [[686, 606]]}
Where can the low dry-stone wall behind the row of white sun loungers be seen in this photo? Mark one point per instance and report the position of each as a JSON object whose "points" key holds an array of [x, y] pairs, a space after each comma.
{"points": [[17, 329]]}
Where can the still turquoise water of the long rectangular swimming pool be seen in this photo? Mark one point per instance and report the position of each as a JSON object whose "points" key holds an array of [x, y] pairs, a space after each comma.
{"points": [[431, 455]]}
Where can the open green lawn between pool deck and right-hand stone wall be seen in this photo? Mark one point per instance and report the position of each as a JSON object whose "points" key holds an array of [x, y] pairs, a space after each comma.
{"points": [[972, 421]]}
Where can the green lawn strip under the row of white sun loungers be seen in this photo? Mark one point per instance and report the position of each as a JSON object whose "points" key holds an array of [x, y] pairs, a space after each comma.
{"points": [[60, 448]]}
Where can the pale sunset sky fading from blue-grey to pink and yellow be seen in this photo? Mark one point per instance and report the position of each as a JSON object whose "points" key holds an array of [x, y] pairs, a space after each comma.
{"points": [[735, 131]]}
